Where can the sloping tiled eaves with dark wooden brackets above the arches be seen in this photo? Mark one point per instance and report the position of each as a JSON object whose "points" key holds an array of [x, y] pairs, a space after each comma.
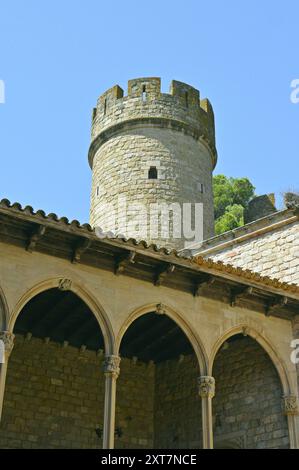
{"points": [[16, 221]]}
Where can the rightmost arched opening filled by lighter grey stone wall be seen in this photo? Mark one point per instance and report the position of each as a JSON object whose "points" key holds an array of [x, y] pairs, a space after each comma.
{"points": [[247, 407]]}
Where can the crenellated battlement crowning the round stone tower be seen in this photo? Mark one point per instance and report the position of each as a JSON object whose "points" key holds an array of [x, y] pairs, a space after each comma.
{"points": [[181, 108]]}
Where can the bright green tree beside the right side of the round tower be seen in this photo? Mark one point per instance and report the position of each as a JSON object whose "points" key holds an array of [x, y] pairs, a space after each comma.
{"points": [[231, 197]]}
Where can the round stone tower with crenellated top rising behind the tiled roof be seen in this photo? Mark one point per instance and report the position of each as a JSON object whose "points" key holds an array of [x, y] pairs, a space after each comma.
{"points": [[152, 155]]}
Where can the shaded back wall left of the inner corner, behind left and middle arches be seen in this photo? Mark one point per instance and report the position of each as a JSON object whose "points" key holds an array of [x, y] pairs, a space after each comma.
{"points": [[54, 398]]}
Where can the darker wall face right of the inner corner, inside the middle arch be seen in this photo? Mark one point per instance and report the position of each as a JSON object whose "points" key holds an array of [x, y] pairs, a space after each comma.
{"points": [[177, 405]]}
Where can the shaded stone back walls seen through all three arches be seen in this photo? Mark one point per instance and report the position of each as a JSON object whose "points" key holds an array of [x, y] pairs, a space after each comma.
{"points": [[54, 398]]}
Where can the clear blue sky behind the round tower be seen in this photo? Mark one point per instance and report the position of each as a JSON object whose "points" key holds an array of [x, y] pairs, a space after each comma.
{"points": [[56, 57]]}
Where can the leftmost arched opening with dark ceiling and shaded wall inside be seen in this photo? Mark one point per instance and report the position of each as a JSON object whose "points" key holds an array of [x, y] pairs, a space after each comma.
{"points": [[54, 394]]}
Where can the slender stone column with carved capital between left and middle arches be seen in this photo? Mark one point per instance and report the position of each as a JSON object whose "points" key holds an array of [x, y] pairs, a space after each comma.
{"points": [[111, 372]]}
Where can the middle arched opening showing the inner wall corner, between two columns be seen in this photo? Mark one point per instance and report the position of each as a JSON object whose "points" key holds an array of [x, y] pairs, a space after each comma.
{"points": [[157, 404]]}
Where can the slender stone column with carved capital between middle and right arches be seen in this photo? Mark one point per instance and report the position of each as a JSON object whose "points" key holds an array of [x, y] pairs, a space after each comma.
{"points": [[206, 389]]}
